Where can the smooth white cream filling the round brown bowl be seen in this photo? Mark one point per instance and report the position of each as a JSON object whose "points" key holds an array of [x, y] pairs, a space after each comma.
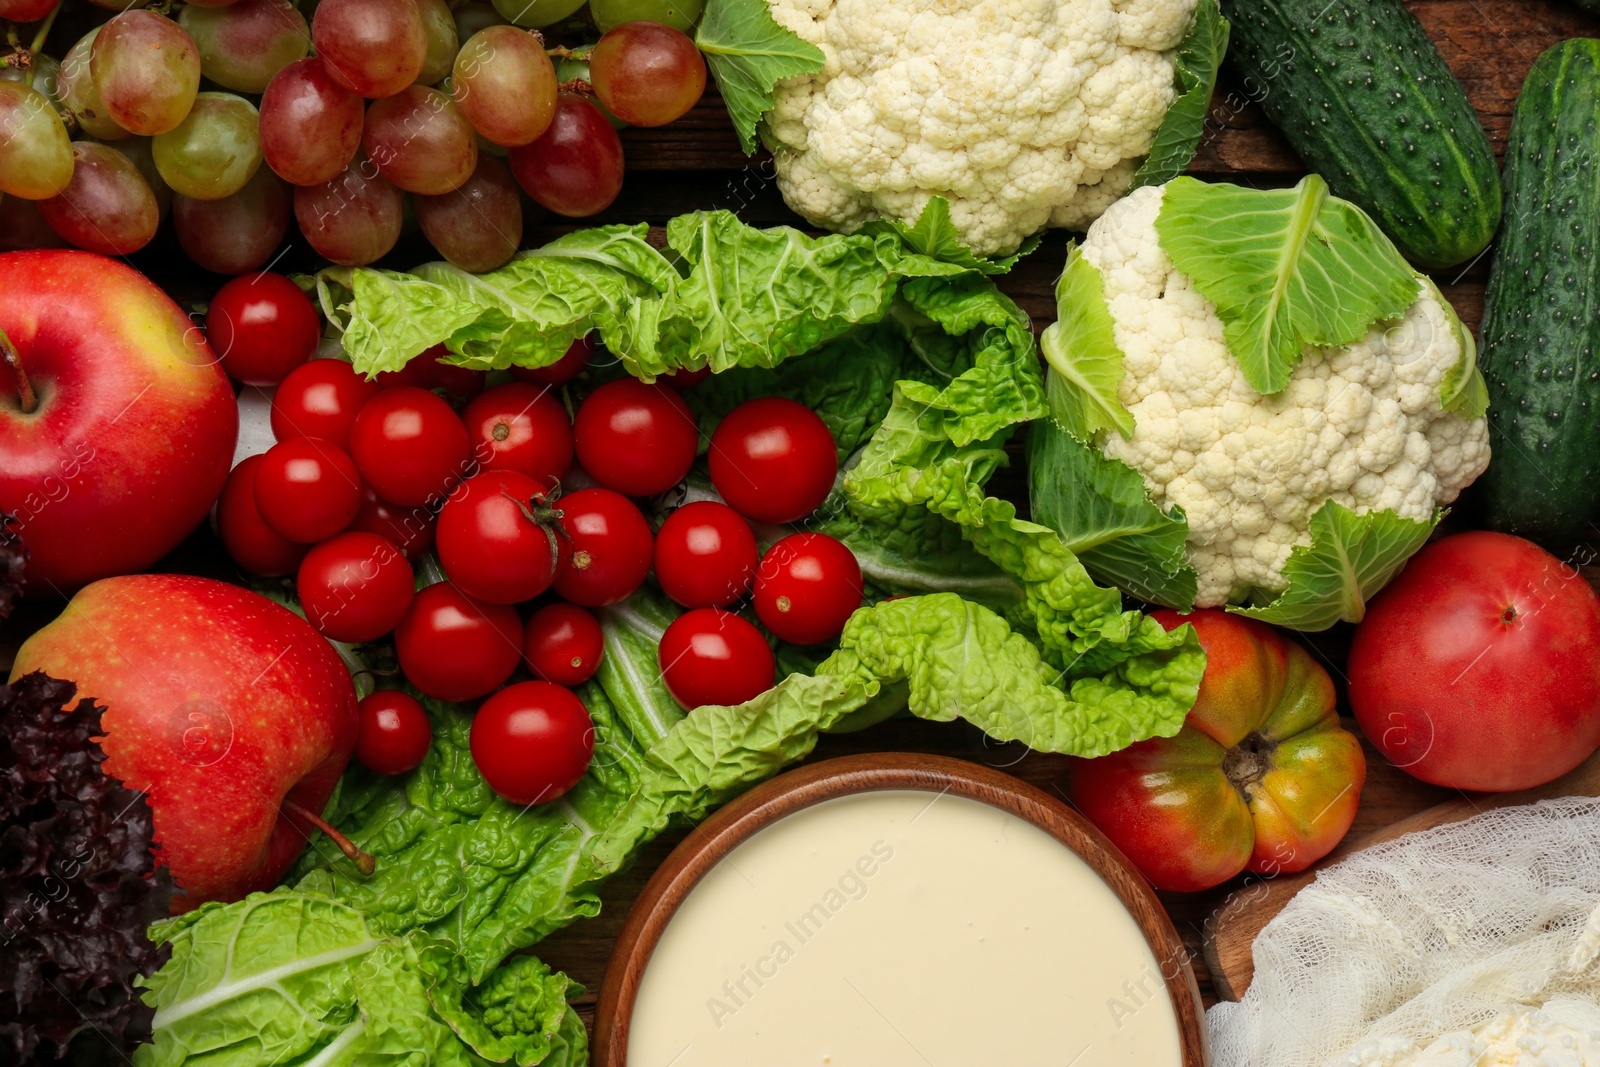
{"points": [[903, 930]]}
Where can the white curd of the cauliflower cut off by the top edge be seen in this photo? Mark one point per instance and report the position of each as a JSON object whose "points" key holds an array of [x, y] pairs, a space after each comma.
{"points": [[1023, 114]]}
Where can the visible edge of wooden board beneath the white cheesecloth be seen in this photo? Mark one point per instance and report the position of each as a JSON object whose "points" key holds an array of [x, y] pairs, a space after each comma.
{"points": [[1233, 929]]}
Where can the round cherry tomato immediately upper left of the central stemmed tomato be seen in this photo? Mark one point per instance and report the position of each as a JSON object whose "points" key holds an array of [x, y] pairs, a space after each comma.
{"points": [[410, 446]]}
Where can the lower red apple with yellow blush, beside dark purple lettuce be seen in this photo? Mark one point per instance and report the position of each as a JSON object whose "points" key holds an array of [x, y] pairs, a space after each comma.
{"points": [[225, 708]]}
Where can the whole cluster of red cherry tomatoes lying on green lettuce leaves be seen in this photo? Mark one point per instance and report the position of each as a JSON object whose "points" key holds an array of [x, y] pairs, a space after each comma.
{"points": [[369, 476]]}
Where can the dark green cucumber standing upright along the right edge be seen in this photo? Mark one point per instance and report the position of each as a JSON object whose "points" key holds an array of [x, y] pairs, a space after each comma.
{"points": [[1542, 313]]}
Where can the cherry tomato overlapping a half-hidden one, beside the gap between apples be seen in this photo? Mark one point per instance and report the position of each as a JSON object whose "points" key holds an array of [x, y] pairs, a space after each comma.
{"points": [[308, 489]]}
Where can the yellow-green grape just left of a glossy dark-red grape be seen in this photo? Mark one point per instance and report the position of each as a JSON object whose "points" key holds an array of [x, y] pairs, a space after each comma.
{"points": [[214, 151]]}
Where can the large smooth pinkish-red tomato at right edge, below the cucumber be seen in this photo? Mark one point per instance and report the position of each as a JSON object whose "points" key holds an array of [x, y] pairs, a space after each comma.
{"points": [[1479, 668]]}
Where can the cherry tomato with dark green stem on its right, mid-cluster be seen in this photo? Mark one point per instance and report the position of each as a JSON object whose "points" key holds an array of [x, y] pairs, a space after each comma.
{"points": [[500, 538]]}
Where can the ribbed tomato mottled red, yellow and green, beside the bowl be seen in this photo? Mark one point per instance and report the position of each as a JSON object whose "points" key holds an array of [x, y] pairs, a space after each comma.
{"points": [[1262, 775]]}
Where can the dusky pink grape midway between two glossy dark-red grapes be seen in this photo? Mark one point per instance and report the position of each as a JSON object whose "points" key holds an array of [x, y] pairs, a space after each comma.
{"points": [[420, 142]]}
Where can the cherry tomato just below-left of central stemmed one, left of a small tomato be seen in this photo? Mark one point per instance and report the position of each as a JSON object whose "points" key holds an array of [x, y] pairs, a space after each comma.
{"points": [[457, 649]]}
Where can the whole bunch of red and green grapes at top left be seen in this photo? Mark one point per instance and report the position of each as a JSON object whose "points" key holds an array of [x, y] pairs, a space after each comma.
{"points": [[238, 116]]}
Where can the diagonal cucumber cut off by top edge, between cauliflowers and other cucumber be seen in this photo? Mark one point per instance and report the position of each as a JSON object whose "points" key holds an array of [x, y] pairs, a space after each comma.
{"points": [[1366, 100]]}
